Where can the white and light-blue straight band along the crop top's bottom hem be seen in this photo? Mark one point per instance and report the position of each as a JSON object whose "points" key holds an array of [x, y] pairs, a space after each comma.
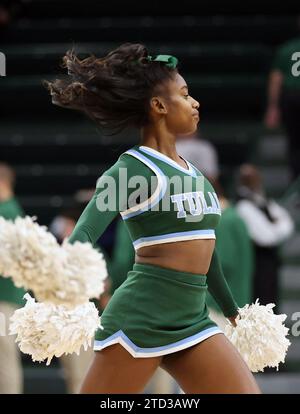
{"points": [[174, 237]]}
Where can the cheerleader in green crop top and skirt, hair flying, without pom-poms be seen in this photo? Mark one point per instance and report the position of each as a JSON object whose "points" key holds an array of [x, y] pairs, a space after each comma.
{"points": [[158, 316]]}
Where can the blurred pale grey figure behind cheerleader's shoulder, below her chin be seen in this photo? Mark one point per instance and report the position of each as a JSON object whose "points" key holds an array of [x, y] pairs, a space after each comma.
{"points": [[200, 153]]}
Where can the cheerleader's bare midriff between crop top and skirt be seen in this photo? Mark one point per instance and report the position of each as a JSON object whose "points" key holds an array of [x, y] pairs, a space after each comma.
{"points": [[192, 256]]}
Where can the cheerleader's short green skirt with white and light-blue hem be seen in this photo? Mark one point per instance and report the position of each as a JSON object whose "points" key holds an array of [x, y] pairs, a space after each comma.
{"points": [[156, 311]]}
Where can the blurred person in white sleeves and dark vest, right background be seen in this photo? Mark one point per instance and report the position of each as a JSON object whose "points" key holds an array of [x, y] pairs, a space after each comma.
{"points": [[269, 225]]}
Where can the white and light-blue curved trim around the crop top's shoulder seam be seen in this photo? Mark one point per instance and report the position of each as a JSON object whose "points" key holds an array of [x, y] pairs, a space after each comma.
{"points": [[155, 197]]}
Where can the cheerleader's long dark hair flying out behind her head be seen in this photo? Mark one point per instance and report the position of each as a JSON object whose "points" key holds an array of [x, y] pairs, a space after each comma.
{"points": [[115, 90]]}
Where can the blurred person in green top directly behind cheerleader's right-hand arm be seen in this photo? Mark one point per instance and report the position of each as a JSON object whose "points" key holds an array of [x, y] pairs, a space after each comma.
{"points": [[235, 249]]}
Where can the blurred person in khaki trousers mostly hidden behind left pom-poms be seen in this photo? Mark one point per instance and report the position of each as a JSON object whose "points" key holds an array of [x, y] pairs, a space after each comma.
{"points": [[74, 365]]}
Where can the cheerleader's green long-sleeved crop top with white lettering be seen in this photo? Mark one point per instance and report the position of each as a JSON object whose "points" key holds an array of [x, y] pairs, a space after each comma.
{"points": [[160, 202]]}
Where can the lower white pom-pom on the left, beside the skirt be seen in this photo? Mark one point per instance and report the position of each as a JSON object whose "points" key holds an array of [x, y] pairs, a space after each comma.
{"points": [[45, 330]]}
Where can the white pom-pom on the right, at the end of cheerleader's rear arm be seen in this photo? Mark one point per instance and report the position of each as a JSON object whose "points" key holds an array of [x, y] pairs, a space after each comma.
{"points": [[260, 336]]}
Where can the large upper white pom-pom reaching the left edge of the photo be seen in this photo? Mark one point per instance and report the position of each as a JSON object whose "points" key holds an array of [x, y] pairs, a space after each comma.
{"points": [[68, 274]]}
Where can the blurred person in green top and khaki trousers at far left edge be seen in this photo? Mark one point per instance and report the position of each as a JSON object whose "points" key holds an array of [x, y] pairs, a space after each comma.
{"points": [[11, 298]]}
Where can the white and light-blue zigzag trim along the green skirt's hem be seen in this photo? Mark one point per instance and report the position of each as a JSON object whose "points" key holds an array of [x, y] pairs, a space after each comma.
{"points": [[138, 352]]}
